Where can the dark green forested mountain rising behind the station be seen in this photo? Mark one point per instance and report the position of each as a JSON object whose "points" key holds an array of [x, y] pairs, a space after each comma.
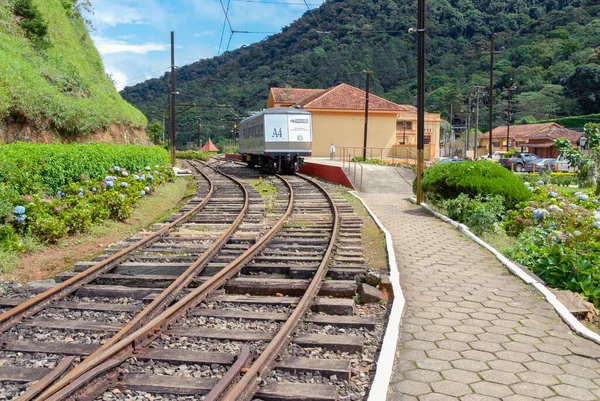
{"points": [[549, 48]]}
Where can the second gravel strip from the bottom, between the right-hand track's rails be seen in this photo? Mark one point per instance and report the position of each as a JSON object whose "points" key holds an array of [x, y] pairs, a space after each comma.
{"points": [[133, 365]]}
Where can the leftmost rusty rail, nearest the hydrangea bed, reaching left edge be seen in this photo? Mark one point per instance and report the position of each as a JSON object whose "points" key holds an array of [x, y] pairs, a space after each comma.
{"points": [[33, 305]]}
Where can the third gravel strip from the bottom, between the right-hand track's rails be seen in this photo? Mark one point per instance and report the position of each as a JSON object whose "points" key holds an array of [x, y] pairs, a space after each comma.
{"points": [[203, 344]]}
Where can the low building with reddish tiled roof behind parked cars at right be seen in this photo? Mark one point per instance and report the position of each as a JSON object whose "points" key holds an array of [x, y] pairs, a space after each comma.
{"points": [[533, 138]]}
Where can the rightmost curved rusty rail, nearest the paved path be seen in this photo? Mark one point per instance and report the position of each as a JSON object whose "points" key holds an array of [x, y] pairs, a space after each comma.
{"points": [[247, 386]]}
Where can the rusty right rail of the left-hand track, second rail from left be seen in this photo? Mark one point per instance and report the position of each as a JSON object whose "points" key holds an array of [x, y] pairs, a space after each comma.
{"points": [[162, 301]]}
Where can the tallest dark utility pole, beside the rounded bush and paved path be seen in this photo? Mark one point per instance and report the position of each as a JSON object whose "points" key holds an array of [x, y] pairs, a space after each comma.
{"points": [[420, 97]]}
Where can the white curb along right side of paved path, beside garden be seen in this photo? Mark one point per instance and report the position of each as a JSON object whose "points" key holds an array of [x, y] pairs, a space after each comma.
{"points": [[562, 311]]}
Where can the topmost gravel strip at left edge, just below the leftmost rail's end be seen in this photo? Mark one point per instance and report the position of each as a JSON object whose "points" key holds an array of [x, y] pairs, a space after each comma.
{"points": [[62, 336]]}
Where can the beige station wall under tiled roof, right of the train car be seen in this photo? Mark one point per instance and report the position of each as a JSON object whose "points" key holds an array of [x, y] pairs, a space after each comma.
{"points": [[346, 129]]}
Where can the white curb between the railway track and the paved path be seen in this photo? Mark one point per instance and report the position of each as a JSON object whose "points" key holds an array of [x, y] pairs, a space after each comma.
{"points": [[385, 363]]}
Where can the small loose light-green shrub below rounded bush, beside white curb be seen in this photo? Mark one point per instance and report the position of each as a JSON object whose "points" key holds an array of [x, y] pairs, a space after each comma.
{"points": [[480, 214]]}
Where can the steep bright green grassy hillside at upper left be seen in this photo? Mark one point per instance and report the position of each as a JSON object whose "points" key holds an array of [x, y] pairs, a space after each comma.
{"points": [[51, 75]]}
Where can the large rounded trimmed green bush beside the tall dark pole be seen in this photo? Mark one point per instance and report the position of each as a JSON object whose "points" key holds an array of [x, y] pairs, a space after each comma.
{"points": [[449, 180]]}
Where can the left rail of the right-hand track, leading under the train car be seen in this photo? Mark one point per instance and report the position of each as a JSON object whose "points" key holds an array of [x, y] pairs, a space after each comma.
{"points": [[143, 336]]}
